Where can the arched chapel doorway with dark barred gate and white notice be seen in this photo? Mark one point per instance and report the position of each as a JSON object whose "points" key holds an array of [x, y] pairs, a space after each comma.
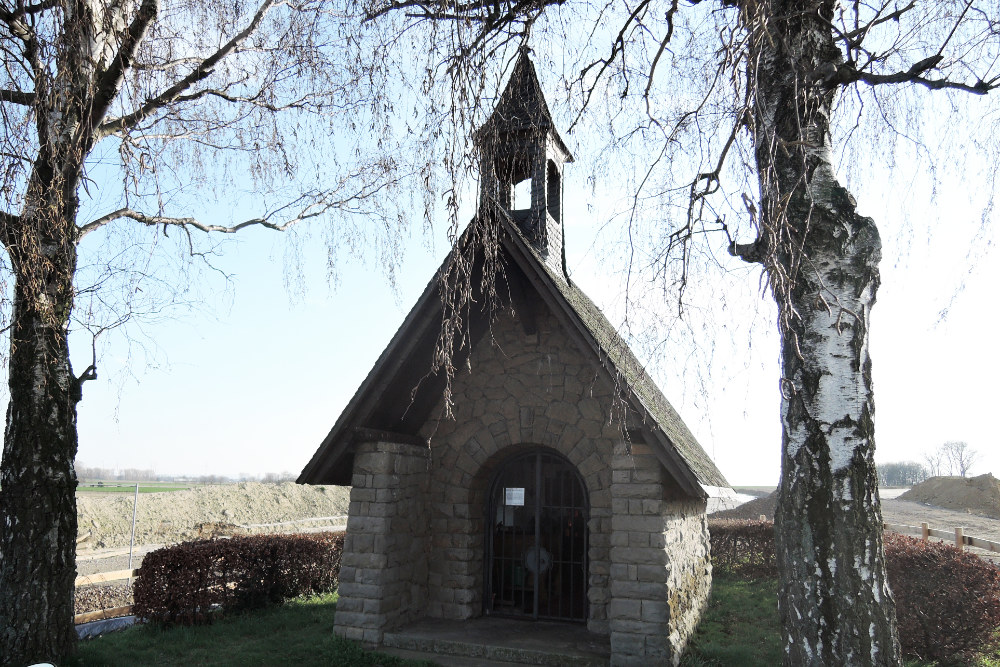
{"points": [[536, 538]]}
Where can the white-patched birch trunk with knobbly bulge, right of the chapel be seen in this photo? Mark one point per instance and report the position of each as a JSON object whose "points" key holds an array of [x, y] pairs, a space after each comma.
{"points": [[822, 262]]}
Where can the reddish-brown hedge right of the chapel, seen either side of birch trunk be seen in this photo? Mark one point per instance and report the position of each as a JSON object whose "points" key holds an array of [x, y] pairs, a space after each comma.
{"points": [[947, 600]]}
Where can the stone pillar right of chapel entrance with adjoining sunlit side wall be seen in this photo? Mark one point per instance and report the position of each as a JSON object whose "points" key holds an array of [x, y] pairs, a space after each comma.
{"points": [[661, 568]]}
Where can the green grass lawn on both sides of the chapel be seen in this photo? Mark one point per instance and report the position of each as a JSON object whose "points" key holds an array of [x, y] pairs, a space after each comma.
{"points": [[740, 629]]}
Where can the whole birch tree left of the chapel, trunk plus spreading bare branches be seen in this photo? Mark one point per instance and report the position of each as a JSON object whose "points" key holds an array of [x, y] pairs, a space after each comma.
{"points": [[132, 110]]}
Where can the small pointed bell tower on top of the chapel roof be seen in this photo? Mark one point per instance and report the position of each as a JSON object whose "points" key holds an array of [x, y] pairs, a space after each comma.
{"points": [[522, 158]]}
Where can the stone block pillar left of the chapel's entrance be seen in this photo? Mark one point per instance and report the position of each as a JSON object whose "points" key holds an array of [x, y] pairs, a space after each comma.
{"points": [[383, 571]]}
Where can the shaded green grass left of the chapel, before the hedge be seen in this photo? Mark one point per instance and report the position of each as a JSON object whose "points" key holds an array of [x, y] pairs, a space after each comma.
{"points": [[300, 632]]}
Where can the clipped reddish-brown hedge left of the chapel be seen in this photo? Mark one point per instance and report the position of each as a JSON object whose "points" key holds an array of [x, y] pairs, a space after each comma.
{"points": [[185, 582]]}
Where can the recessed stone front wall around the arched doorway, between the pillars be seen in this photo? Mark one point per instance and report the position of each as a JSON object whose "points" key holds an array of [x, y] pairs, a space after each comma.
{"points": [[524, 390]]}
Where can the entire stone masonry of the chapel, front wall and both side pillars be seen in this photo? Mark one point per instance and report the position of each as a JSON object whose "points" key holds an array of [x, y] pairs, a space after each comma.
{"points": [[415, 539]]}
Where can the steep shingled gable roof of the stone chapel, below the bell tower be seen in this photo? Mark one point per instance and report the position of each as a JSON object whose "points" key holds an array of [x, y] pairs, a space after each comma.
{"points": [[386, 404]]}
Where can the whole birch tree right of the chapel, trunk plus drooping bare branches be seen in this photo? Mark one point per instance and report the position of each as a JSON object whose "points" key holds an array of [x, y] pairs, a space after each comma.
{"points": [[748, 92]]}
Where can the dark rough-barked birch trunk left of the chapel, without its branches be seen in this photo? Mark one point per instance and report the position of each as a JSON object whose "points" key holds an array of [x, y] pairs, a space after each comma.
{"points": [[37, 481]]}
